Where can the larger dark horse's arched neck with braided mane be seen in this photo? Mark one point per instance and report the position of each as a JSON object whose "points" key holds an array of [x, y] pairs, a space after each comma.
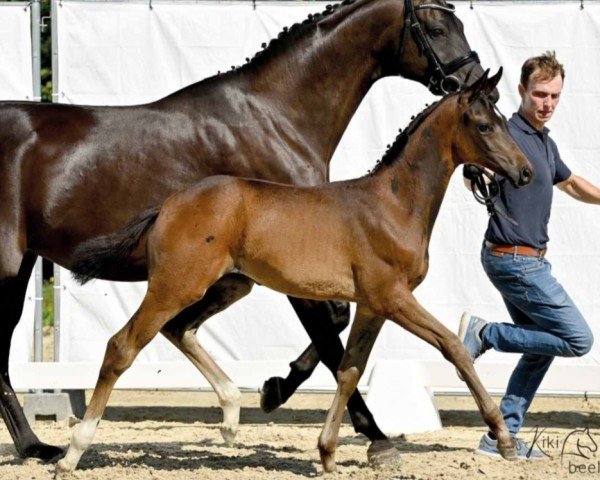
{"points": [[309, 83]]}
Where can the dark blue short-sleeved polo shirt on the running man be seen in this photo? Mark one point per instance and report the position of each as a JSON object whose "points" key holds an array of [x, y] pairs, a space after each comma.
{"points": [[529, 206]]}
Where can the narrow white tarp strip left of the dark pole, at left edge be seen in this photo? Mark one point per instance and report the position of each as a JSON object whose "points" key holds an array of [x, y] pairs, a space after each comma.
{"points": [[16, 84]]}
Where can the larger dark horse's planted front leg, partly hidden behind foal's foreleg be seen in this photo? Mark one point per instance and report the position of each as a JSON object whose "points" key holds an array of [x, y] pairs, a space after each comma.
{"points": [[325, 338]]}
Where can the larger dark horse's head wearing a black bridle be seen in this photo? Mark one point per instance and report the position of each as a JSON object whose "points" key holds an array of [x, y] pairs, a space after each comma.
{"points": [[433, 50]]}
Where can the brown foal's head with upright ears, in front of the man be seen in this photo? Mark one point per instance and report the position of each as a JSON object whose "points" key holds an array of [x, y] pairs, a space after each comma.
{"points": [[481, 135]]}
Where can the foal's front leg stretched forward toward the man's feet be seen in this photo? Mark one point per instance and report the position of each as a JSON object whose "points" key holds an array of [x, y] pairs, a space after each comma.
{"points": [[409, 314]]}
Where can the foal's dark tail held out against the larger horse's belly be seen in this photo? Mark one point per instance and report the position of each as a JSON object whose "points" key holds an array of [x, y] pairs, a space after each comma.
{"points": [[100, 256]]}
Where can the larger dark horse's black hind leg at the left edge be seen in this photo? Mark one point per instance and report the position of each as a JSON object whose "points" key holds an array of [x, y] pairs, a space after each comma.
{"points": [[12, 295]]}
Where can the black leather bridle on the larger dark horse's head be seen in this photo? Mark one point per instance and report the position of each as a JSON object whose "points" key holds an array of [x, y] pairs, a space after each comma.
{"points": [[440, 74]]}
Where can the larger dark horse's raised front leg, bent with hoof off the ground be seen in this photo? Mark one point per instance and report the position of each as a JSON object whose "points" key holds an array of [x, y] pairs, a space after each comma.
{"points": [[277, 390]]}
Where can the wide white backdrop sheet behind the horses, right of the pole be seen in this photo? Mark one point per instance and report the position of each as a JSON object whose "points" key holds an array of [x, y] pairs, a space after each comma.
{"points": [[125, 53]]}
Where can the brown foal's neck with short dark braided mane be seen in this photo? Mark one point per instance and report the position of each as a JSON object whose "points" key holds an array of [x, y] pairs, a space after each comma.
{"points": [[419, 175]]}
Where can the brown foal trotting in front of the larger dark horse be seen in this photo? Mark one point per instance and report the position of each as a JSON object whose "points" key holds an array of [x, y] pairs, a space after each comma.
{"points": [[363, 241]]}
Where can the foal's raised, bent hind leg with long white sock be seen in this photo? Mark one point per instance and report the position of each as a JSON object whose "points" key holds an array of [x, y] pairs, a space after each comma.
{"points": [[181, 331]]}
